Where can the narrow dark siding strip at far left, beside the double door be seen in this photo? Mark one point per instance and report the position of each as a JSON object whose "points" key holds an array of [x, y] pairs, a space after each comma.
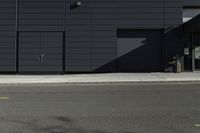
{"points": [[7, 35]]}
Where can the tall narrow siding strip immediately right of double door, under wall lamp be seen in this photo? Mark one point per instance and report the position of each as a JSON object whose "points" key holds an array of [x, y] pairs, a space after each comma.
{"points": [[78, 36]]}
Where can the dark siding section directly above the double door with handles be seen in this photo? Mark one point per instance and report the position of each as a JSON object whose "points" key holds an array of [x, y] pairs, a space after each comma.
{"points": [[41, 15]]}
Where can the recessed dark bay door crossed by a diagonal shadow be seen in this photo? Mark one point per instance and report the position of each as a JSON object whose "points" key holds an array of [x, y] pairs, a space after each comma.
{"points": [[139, 50]]}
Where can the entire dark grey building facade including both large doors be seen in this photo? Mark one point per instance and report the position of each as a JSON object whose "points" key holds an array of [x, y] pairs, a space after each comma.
{"points": [[69, 36]]}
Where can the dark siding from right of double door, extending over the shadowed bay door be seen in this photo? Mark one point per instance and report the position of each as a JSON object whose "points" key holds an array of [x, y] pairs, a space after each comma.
{"points": [[91, 28]]}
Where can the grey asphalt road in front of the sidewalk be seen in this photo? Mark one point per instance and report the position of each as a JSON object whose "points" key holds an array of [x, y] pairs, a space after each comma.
{"points": [[100, 108]]}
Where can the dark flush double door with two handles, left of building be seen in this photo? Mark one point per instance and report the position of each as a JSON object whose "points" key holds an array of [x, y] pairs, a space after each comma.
{"points": [[40, 52]]}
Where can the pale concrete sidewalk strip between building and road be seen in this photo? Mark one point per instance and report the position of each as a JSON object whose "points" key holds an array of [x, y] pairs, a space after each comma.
{"points": [[101, 78]]}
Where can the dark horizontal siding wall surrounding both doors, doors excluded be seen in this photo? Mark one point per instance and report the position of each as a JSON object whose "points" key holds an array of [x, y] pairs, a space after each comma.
{"points": [[91, 29]]}
